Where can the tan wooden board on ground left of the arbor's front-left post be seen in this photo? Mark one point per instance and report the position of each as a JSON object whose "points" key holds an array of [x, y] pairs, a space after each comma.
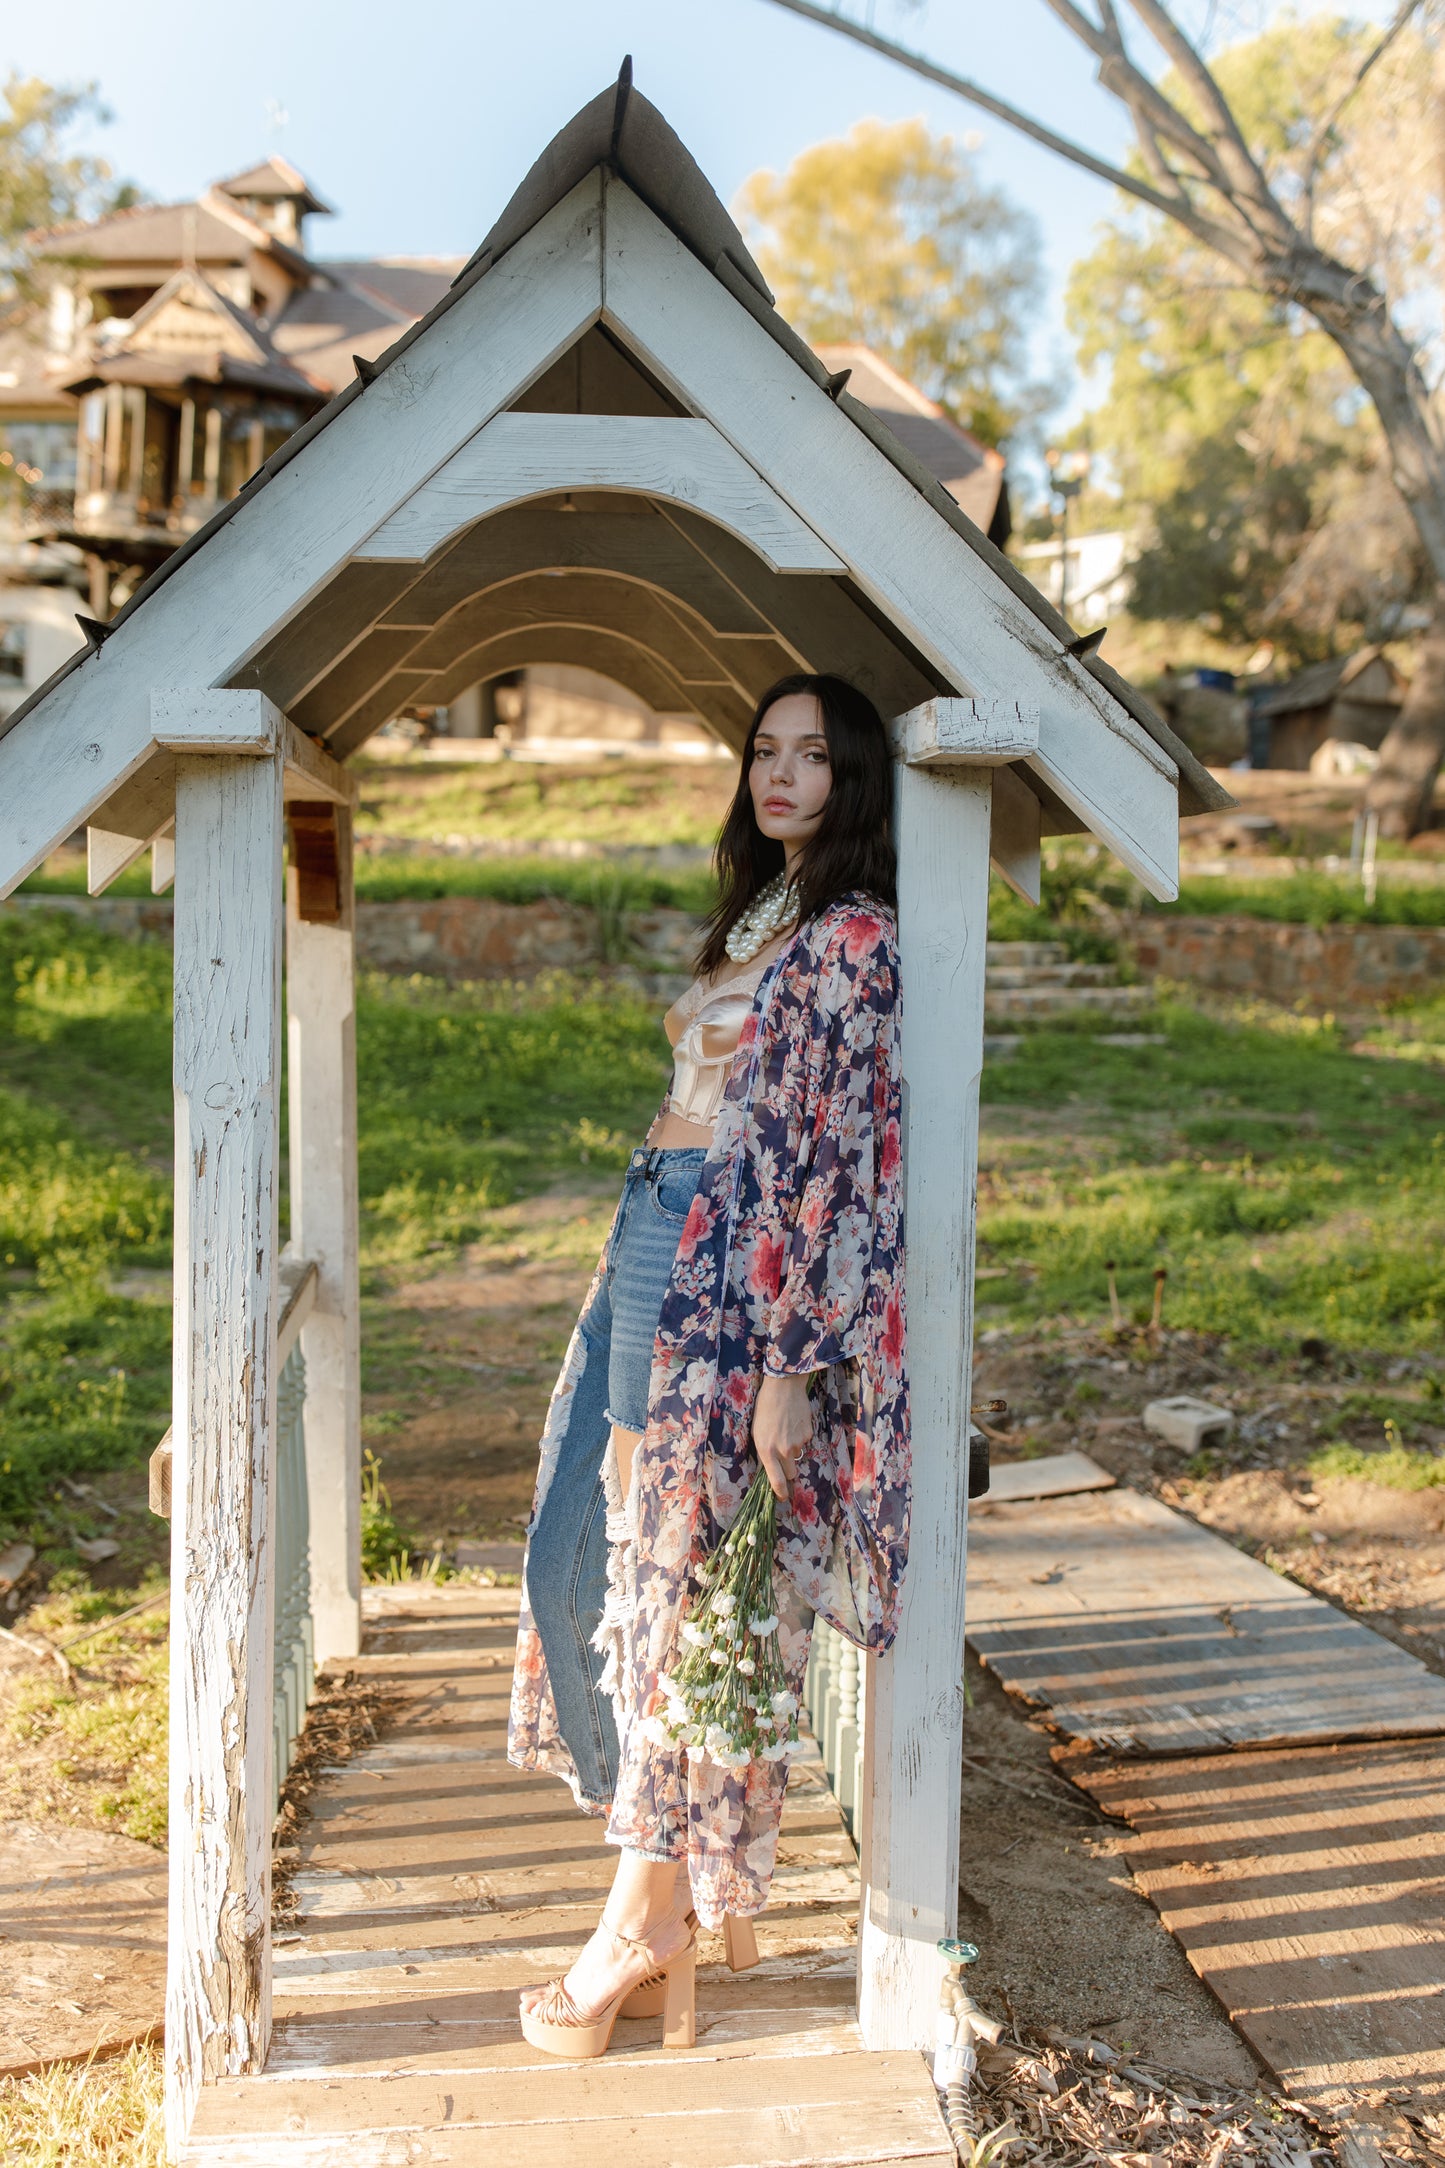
{"points": [[83, 1948]]}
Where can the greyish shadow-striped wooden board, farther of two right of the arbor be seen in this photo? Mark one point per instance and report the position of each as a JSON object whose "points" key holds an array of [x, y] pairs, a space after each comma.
{"points": [[1145, 1634]]}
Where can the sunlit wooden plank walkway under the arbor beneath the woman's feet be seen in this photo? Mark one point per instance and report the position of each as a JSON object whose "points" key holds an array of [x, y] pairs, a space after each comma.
{"points": [[437, 1883]]}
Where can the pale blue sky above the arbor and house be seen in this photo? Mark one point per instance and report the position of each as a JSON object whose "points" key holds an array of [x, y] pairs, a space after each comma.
{"points": [[417, 120]]}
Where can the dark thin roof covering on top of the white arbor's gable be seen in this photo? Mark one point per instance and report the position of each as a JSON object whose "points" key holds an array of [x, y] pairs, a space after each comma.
{"points": [[623, 135]]}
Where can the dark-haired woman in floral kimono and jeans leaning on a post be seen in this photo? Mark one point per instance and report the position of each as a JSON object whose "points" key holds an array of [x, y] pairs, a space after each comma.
{"points": [[748, 1313]]}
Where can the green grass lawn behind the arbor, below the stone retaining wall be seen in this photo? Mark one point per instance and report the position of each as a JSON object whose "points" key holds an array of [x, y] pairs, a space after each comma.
{"points": [[1290, 1185]]}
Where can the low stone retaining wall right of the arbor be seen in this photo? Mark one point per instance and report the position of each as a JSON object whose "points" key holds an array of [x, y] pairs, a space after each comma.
{"points": [[1329, 968]]}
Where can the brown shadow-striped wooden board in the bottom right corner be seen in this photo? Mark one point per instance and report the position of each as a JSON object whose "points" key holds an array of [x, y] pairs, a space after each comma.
{"points": [[1307, 1889]]}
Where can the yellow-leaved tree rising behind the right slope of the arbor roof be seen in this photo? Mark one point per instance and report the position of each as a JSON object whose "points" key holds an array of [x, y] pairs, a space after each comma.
{"points": [[889, 237]]}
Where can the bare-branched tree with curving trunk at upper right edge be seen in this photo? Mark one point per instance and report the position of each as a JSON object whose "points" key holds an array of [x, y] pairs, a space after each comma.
{"points": [[1264, 207]]}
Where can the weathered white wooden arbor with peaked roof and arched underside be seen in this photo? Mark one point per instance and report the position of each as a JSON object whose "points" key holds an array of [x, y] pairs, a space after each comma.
{"points": [[603, 448]]}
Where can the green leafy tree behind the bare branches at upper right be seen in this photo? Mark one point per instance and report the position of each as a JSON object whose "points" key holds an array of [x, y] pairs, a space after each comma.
{"points": [[1234, 426]]}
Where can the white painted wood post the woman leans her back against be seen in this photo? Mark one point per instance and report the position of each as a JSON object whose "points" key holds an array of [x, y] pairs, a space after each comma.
{"points": [[915, 1694]]}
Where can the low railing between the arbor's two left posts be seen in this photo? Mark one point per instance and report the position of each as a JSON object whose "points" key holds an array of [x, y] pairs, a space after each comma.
{"points": [[296, 1642]]}
